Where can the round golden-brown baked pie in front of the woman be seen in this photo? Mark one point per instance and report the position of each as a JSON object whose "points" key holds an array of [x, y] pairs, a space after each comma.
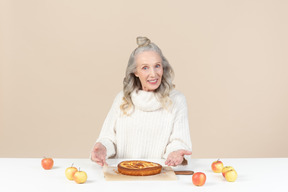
{"points": [[139, 168]]}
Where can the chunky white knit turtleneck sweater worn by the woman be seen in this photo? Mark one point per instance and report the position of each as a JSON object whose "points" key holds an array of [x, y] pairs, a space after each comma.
{"points": [[150, 132]]}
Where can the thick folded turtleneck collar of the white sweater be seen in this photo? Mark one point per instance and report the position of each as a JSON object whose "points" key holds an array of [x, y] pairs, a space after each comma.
{"points": [[145, 100]]}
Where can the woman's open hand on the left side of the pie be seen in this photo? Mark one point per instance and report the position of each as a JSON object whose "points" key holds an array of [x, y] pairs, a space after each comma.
{"points": [[99, 154]]}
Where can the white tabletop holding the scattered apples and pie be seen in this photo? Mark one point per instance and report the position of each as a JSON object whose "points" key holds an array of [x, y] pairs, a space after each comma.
{"points": [[254, 174]]}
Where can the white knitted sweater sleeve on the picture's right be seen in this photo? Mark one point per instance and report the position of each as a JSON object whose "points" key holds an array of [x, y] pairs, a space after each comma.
{"points": [[180, 135]]}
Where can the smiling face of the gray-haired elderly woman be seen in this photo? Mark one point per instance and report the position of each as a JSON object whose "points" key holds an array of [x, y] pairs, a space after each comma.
{"points": [[149, 70]]}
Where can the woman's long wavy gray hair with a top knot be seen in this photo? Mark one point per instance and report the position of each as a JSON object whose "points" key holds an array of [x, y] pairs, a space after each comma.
{"points": [[131, 82]]}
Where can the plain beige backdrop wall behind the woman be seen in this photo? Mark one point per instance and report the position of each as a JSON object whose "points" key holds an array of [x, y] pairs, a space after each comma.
{"points": [[62, 63]]}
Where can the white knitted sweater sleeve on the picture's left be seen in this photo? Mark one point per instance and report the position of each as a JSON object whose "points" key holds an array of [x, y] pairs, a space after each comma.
{"points": [[107, 135]]}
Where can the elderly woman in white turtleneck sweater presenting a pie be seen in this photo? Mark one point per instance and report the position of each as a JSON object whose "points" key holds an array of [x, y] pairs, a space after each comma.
{"points": [[148, 119]]}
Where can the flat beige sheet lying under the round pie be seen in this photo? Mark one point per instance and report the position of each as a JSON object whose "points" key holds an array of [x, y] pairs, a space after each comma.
{"points": [[111, 174]]}
